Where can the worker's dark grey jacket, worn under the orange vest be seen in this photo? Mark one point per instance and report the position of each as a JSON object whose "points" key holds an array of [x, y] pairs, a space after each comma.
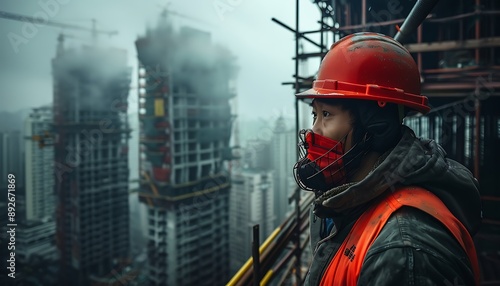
{"points": [[413, 248]]}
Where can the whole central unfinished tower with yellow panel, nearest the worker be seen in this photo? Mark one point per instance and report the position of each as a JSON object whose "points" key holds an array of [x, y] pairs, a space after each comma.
{"points": [[185, 84]]}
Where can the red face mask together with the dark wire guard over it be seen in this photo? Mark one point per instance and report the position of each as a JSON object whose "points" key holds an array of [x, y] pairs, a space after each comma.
{"points": [[322, 166]]}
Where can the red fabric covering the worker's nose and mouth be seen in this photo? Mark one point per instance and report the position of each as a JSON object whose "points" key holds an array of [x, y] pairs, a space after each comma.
{"points": [[327, 154]]}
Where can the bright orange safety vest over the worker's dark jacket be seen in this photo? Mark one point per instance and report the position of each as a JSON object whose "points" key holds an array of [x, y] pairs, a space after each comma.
{"points": [[345, 267]]}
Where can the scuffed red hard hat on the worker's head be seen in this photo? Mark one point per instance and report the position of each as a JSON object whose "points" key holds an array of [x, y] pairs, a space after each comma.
{"points": [[369, 66]]}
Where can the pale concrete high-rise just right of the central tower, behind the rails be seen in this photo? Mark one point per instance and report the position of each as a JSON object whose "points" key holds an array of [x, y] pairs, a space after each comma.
{"points": [[251, 203]]}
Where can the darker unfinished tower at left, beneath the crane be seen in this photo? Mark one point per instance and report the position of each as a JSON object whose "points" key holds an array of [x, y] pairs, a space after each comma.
{"points": [[91, 131]]}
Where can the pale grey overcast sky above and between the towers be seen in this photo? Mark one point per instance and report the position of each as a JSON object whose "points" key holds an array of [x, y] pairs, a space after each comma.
{"points": [[263, 48]]}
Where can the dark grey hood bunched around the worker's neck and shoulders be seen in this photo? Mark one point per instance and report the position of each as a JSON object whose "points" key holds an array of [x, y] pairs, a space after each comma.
{"points": [[418, 162]]}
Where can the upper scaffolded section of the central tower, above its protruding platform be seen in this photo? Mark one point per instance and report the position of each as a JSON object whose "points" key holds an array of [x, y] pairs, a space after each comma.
{"points": [[183, 109]]}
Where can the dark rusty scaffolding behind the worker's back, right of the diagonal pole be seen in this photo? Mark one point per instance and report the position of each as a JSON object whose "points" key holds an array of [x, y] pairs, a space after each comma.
{"points": [[457, 52]]}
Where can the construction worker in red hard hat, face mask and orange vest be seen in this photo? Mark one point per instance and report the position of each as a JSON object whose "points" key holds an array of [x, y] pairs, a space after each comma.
{"points": [[389, 208]]}
